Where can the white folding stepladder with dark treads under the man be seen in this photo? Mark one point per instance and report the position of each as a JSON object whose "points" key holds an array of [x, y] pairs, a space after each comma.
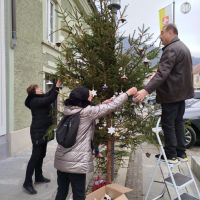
{"points": [[177, 180]]}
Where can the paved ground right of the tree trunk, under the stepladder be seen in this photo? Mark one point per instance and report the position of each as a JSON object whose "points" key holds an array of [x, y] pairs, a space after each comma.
{"points": [[140, 171]]}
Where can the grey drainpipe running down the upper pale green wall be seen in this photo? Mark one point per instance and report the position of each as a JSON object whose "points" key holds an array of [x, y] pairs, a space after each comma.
{"points": [[14, 32]]}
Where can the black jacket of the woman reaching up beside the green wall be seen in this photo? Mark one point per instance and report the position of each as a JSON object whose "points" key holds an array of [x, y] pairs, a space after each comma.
{"points": [[40, 106]]}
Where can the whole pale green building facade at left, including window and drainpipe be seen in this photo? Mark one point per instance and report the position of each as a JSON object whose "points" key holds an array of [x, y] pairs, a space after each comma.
{"points": [[28, 53]]}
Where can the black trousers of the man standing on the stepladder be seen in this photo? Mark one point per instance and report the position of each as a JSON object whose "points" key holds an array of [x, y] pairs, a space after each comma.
{"points": [[173, 128]]}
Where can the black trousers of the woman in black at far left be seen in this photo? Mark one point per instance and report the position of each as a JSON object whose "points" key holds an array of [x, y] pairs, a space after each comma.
{"points": [[35, 163]]}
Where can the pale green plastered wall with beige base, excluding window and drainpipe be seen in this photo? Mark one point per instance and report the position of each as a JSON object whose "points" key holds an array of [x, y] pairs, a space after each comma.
{"points": [[32, 56]]}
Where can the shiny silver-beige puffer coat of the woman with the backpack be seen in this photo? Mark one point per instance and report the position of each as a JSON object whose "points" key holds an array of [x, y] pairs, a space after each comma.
{"points": [[78, 158]]}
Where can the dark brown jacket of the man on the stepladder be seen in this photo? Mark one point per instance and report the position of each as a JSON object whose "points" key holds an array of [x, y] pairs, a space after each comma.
{"points": [[173, 80]]}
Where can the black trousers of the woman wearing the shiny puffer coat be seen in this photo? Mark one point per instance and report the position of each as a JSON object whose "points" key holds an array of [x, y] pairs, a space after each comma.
{"points": [[77, 181]]}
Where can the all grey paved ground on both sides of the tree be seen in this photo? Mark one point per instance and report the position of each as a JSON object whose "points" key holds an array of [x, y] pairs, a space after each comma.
{"points": [[135, 173]]}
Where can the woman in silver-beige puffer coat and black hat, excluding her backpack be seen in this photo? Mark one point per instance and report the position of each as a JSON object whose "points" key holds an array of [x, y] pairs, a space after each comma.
{"points": [[74, 163]]}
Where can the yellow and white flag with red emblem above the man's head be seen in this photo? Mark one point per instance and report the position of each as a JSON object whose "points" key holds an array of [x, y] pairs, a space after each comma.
{"points": [[166, 15]]}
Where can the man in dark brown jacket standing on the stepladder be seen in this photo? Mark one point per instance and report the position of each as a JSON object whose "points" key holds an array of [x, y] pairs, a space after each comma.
{"points": [[173, 83]]}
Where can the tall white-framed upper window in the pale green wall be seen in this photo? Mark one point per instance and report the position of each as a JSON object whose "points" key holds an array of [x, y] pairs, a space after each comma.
{"points": [[51, 18]]}
